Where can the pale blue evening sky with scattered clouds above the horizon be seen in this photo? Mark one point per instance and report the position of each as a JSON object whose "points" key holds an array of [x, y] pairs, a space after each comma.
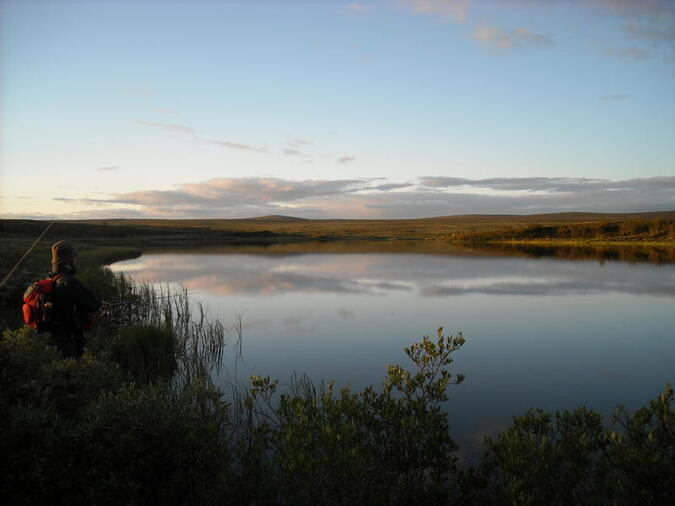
{"points": [[335, 109]]}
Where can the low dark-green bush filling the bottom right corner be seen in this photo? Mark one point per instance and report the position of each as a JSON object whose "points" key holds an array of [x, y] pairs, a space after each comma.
{"points": [[571, 458]]}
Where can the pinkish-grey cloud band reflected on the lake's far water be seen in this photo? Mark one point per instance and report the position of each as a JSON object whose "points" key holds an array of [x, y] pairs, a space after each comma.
{"points": [[457, 272]]}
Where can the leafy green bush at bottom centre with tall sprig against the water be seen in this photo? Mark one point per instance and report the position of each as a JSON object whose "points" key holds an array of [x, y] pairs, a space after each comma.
{"points": [[316, 446]]}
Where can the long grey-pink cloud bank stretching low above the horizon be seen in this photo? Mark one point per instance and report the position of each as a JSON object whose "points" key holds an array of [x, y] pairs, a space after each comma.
{"points": [[368, 198]]}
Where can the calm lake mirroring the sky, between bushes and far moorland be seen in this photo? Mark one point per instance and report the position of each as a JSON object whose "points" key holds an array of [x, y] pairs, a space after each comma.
{"points": [[546, 330]]}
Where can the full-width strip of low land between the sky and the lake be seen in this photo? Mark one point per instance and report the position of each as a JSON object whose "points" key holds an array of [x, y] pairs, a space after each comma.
{"points": [[569, 229]]}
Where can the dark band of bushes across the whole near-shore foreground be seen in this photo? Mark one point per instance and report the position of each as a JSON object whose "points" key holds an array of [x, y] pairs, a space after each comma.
{"points": [[87, 432]]}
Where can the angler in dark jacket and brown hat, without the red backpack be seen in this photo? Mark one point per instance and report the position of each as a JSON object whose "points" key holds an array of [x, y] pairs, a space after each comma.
{"points": [[74, 303]]}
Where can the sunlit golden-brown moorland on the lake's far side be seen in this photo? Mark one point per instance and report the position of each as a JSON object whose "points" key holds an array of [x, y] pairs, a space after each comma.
{"points": [[628, 228]]}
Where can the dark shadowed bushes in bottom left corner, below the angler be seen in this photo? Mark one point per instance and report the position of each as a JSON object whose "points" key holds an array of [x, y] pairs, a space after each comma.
{"points": [[78, 432]]}
